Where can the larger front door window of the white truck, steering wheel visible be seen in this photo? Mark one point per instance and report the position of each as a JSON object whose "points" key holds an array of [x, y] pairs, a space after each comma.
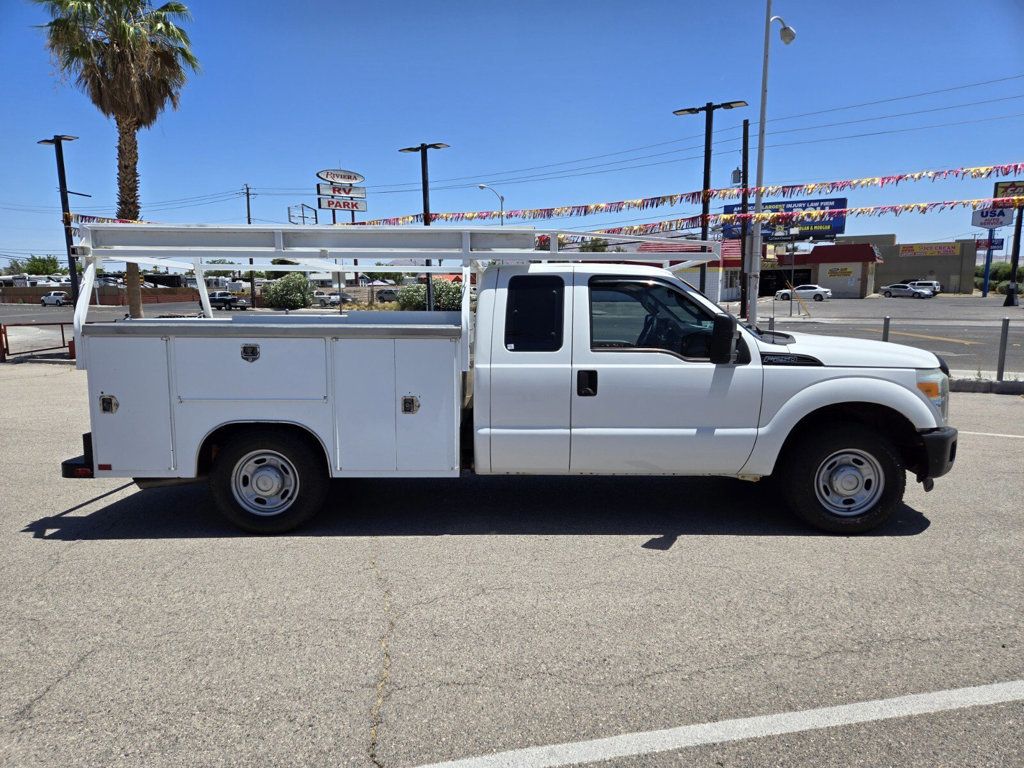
{"points": [[639, 314]]}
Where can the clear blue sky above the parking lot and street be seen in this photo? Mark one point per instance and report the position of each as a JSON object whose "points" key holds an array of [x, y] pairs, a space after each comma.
{"points": [[290, 89]]}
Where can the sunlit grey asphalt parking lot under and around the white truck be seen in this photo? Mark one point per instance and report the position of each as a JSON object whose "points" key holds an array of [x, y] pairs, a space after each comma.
{"points": [[419, 622]]}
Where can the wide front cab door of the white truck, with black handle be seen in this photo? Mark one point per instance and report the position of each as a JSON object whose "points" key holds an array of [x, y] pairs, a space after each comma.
{"points": [[647, 400]]}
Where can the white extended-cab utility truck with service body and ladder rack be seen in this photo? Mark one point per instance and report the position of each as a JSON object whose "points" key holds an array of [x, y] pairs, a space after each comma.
{"points": [[567, 366]]}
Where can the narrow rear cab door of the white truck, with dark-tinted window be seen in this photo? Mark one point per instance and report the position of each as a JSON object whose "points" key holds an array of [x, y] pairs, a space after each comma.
{"points": [[530, 372]]}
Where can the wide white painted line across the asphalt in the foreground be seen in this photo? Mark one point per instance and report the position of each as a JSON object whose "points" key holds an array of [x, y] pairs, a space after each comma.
{"points": [[631, 745]]}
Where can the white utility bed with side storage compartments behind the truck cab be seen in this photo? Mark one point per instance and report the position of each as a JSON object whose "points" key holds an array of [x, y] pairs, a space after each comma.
{"points": [[380, 391]]}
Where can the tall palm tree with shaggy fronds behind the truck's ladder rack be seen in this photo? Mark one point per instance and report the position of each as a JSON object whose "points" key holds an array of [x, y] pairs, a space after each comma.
{"points": [[132, 60]]}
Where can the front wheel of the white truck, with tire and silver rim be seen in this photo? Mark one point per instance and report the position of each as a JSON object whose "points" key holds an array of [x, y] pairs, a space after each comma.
{"points": [[847, 481]]}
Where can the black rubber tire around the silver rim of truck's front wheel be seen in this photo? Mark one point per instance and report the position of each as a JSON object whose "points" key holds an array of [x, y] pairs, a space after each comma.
{"points": [[799, 468]]}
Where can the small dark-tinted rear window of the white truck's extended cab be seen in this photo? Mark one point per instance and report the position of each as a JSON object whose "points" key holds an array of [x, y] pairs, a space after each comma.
{"points": [[534, 317]]}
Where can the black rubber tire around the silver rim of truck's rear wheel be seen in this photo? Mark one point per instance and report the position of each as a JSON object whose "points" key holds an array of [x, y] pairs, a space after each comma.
{"points": [[311, 480]]}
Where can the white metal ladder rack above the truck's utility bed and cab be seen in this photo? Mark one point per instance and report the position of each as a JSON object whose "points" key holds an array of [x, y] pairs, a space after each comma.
{"points": [[336, 249]]}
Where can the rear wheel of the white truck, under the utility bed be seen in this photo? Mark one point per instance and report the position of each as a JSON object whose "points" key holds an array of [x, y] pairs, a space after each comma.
{"points": [[269, 483]]}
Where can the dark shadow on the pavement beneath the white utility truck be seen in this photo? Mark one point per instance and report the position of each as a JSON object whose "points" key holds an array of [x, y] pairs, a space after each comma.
{"points": [[662, 508]]}
